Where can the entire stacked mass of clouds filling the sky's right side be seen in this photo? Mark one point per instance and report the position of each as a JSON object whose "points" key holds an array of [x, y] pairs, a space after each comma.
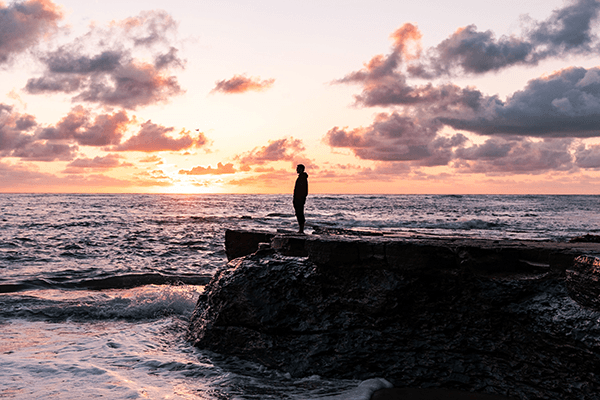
{"points": [[559, 109]]}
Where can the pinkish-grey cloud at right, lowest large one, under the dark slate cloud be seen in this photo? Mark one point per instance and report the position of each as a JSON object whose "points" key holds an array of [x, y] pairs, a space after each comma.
{"points": [[395, 138]]}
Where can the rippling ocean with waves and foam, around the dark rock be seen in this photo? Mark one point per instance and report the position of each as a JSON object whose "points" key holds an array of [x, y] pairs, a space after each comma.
{"points": [[96, 290]]}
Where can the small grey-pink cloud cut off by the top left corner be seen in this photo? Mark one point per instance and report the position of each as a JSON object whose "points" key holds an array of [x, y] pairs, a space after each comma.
{"points": [[22, 25]]}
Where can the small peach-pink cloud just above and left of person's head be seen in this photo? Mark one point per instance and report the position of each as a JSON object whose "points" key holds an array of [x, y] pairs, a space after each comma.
{"points": [[286, 149]]}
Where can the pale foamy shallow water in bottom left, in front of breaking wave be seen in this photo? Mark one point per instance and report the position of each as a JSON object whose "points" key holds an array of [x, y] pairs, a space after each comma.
{"points": [[113, 360]]}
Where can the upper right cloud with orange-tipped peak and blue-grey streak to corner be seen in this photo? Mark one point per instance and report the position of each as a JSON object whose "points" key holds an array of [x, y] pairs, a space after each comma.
{"points": [[469, 51]]}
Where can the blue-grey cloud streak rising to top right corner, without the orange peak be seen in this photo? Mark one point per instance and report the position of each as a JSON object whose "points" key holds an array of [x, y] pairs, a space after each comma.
{"points": [[567, 31]]}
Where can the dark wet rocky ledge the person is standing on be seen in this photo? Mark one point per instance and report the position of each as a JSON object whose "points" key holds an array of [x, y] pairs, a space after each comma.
{"points": [[513, 318]]}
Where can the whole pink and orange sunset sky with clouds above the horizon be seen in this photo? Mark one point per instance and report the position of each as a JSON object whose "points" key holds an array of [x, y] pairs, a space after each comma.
{"points": [[228, 96]]}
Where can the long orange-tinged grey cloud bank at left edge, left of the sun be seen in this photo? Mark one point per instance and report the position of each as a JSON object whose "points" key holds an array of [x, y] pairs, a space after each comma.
{"points": [[21, 136]]}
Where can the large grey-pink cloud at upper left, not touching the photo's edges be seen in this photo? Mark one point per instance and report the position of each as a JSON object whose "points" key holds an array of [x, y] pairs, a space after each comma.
{"points": [[105, 67]]}
